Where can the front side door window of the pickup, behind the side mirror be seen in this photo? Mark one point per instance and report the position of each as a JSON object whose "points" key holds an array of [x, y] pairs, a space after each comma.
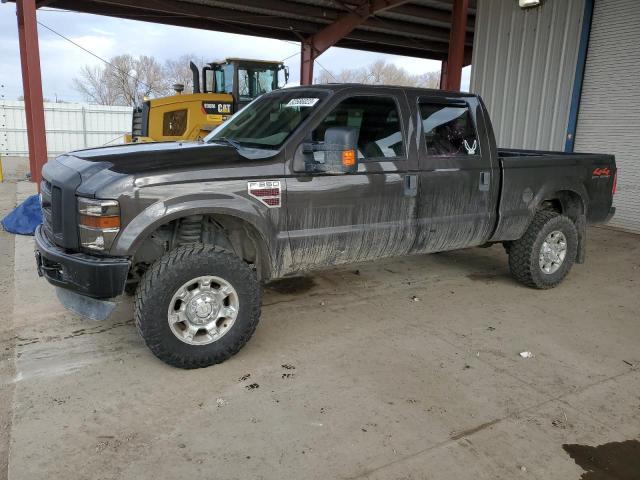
{"points": [[378, 123]]}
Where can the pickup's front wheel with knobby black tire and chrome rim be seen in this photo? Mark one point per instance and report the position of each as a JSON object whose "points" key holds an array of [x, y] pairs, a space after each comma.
{"points": [[197, 306]]}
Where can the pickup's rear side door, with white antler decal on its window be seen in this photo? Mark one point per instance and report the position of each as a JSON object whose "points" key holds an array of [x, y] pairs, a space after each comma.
{"points": [[458, 180]]}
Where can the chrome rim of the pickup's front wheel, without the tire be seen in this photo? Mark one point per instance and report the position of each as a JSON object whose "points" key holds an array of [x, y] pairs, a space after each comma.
{"points": [[203, 310]]}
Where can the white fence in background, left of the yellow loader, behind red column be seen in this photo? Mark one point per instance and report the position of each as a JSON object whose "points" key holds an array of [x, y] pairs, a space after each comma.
{"points": [[69, 126]]}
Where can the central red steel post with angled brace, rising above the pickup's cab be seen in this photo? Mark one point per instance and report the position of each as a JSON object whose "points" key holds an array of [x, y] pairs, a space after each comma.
{"points": [[320, 41]]}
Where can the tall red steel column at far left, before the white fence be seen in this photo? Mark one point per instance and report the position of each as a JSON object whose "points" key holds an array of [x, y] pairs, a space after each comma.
{"points": [[32, 86]]}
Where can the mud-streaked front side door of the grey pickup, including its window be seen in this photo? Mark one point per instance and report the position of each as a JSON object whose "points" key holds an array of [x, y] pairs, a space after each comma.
{"points": [[344, 218]]}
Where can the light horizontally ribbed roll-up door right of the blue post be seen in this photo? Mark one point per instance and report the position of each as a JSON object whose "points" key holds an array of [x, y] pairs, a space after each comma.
{"points": [[609, 115]]}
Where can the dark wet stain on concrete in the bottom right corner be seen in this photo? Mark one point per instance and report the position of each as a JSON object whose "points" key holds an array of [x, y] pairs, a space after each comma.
{"points": [[609, 461]]}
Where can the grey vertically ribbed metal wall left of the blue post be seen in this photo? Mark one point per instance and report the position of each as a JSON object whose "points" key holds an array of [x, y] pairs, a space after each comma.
{"points": [[524, 65]]}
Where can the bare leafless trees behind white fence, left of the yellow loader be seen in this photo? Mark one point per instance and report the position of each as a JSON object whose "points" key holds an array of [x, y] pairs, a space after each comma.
{"points": [[124, 81]]}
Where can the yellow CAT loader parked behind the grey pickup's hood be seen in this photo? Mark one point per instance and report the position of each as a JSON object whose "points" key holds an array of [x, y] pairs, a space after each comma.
{"points": [[219, 90]]}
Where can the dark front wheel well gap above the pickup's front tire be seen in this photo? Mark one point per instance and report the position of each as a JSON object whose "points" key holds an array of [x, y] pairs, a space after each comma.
{"points": [[226, 232]]}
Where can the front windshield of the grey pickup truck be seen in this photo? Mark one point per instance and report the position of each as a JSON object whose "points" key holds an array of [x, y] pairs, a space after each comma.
{"points": [[269, 120]]}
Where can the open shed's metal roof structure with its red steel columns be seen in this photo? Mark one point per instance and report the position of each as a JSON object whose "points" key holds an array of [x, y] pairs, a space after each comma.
{"points": [[435, 29]]}
